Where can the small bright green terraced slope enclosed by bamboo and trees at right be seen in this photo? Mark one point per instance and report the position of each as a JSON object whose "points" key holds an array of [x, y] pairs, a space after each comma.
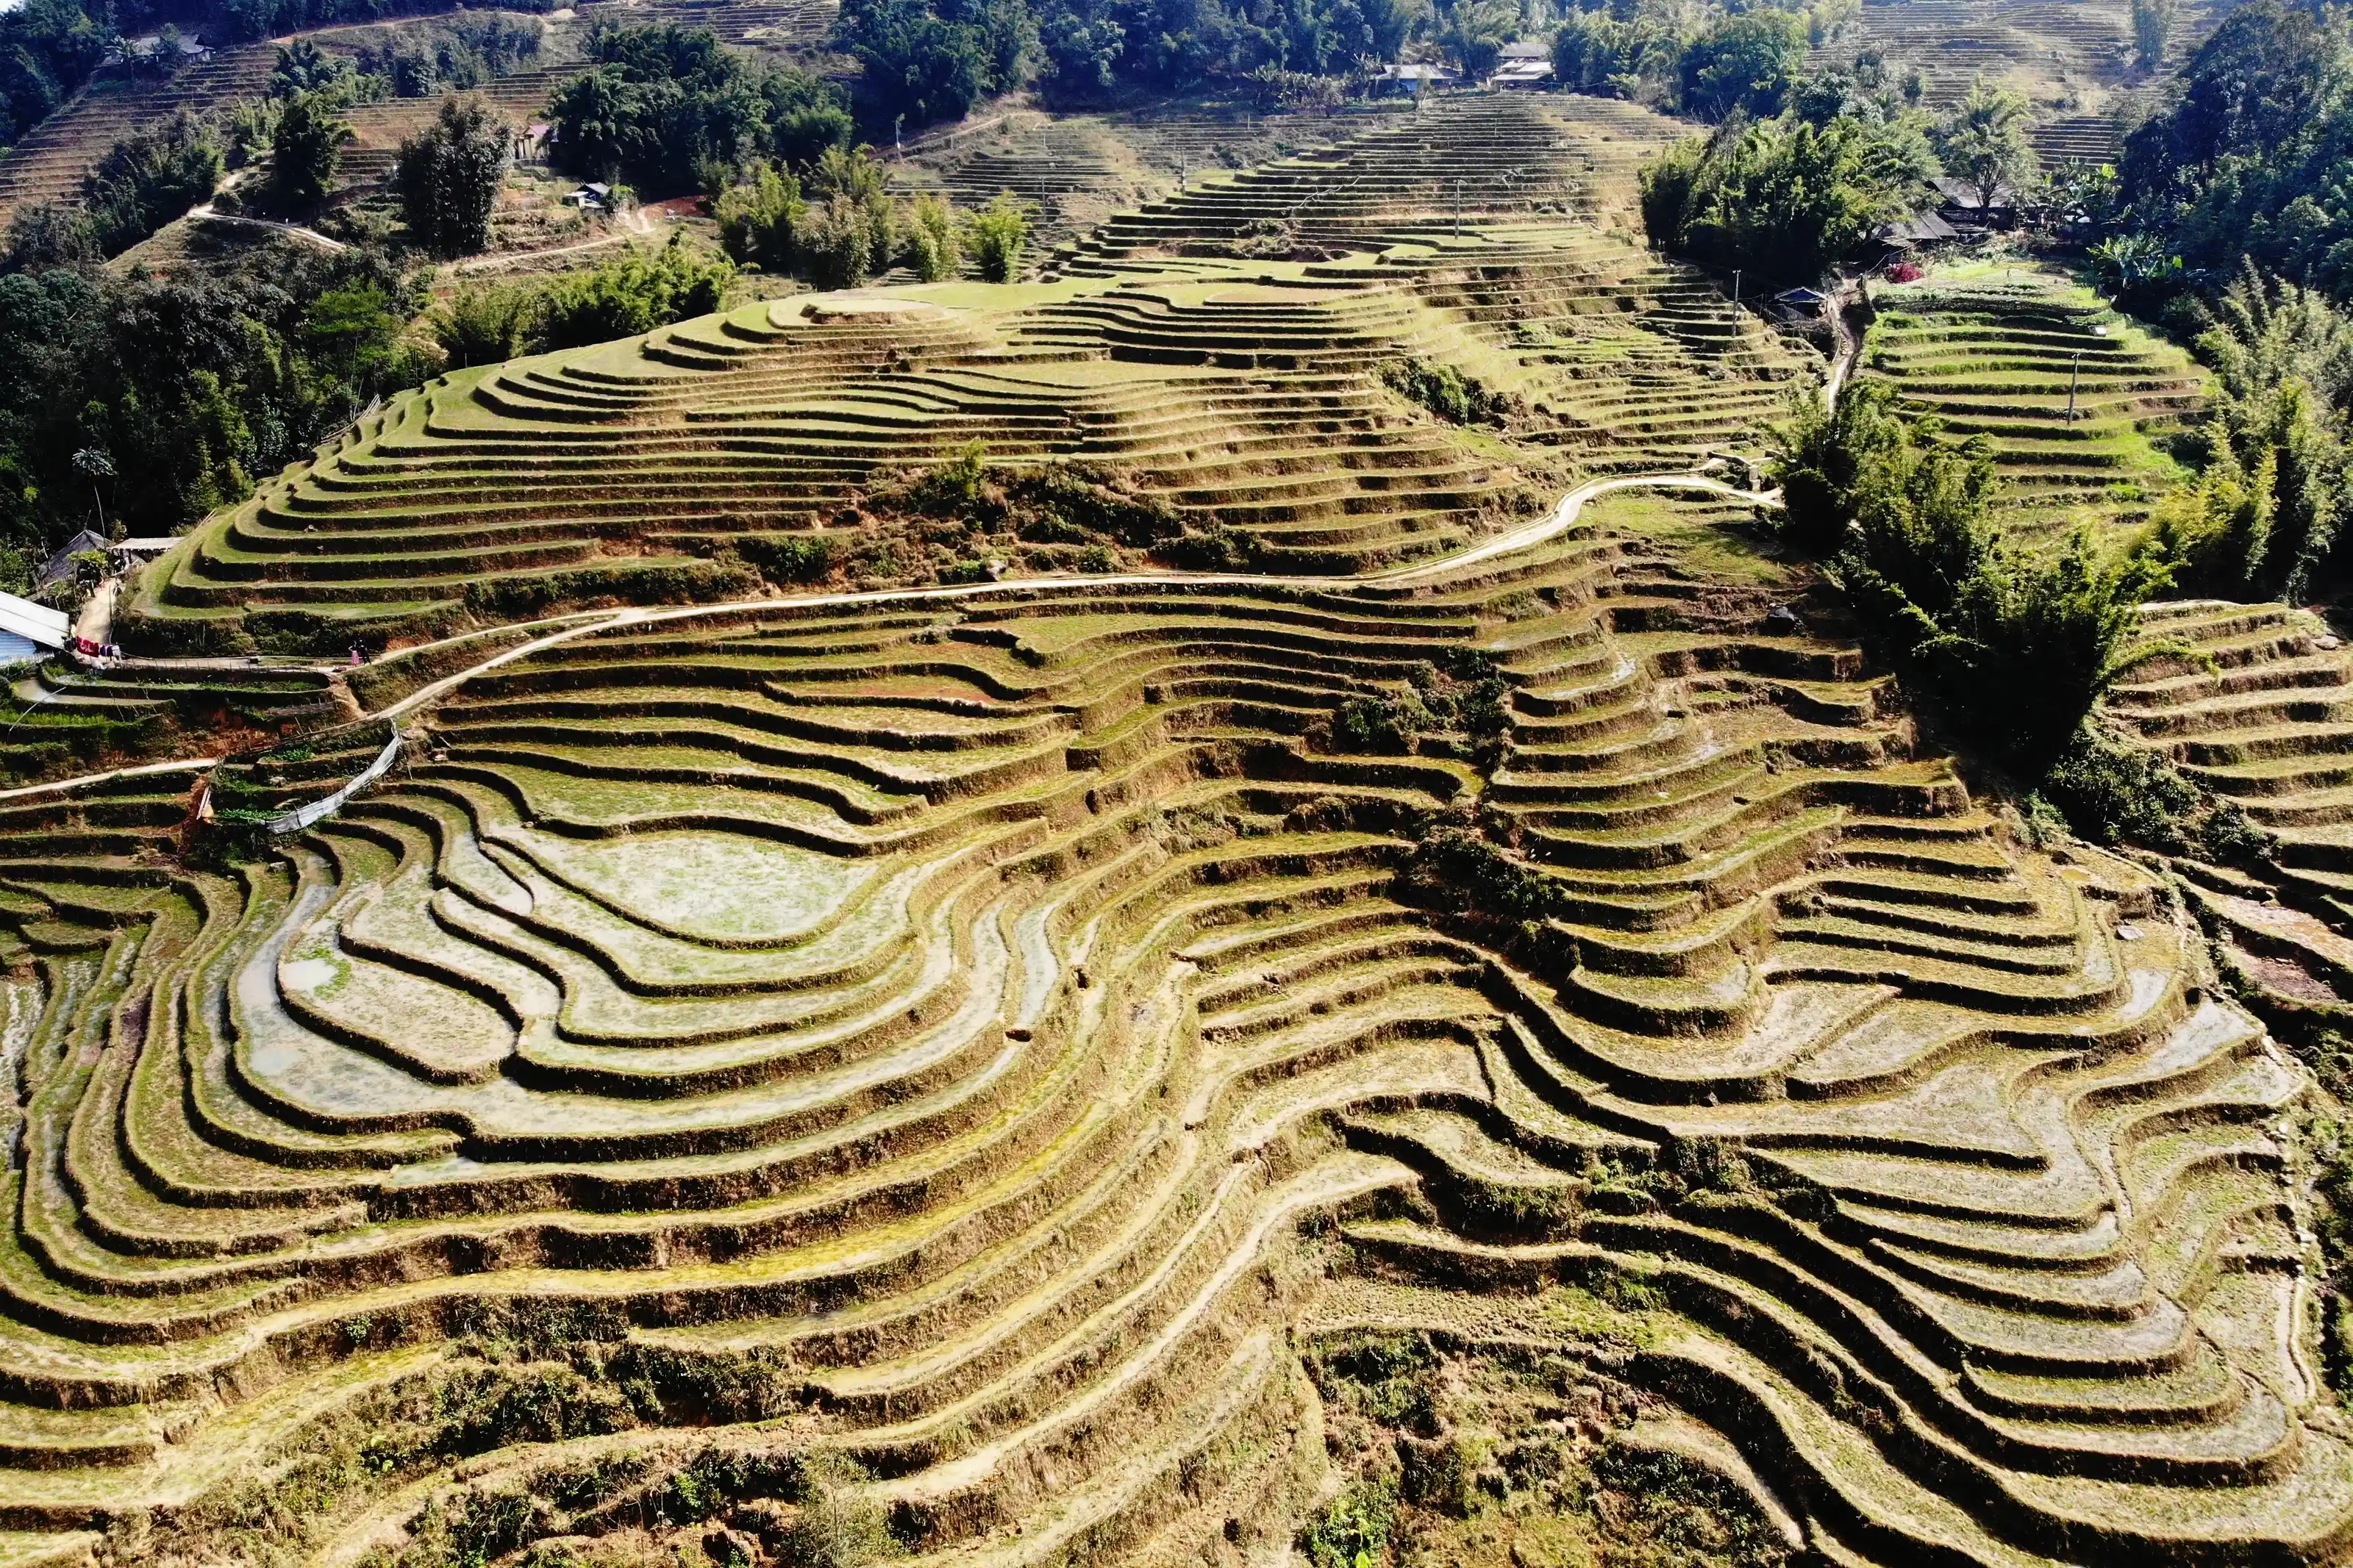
{"points": [[2011, 354]]}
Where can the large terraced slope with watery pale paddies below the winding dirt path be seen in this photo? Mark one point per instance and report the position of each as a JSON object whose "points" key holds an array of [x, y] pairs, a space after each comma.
{"points": [[954, 1033]]}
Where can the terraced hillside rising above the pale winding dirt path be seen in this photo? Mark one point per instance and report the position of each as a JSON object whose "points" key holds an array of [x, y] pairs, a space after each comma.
{"points": [[1246, 394]]}
